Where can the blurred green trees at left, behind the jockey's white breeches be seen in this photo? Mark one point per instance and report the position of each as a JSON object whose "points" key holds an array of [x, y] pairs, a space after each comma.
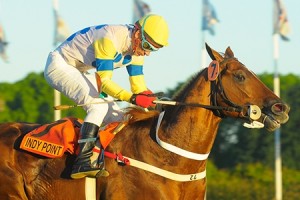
{"points": [[31, 100]]}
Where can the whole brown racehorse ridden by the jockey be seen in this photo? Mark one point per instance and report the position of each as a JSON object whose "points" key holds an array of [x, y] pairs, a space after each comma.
{"points": [[191, 127]]}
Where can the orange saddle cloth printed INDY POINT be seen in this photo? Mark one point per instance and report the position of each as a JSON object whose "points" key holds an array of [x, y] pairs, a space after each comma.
{"points": [[54, 139]]}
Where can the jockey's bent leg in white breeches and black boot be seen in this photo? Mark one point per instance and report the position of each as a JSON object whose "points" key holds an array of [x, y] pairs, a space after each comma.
{"points": [[82, 89]]}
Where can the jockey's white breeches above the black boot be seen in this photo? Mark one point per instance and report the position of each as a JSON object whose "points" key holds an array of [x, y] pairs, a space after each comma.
{"points": [[82, 89]]}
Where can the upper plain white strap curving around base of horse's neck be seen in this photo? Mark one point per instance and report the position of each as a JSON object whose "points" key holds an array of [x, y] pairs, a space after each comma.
{"points": [[177, 150]]}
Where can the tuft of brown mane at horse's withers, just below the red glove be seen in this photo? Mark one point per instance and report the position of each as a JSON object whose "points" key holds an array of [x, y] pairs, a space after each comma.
{"points": [[137, 114]]}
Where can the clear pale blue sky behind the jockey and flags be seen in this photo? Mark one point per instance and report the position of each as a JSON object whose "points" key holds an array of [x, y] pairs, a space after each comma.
{"points": [[245, 26]]}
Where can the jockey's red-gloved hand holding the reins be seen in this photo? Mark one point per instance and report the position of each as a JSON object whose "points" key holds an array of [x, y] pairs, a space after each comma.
{"points": [[144, 99]]}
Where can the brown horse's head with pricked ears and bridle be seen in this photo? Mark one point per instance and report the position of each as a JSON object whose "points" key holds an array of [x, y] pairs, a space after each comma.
{"points": [[237, 87]]}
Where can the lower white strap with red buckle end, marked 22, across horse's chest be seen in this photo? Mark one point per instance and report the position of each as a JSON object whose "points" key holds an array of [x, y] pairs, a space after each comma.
{"points": [[161, 172]]}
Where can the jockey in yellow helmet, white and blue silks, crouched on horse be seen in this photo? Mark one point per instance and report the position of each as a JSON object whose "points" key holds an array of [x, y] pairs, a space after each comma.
{"points": [[104, 48]]}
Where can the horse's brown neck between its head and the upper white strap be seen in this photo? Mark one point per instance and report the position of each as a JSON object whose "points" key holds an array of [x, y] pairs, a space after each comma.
{"points": [[191, 128]]}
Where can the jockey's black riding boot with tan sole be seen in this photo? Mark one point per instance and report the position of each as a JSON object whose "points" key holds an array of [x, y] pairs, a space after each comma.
{"points": [[83, 166]]}
